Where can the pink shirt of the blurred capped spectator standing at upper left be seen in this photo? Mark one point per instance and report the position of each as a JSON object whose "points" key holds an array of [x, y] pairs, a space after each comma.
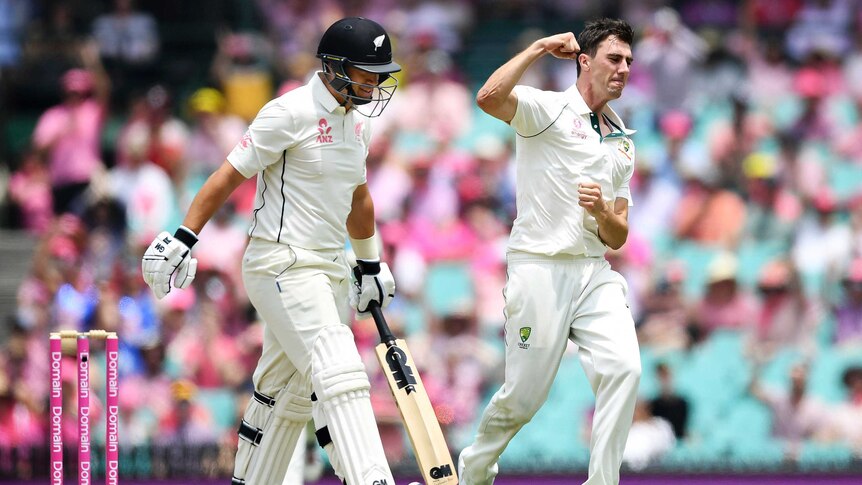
{"points": [[71, 134]]}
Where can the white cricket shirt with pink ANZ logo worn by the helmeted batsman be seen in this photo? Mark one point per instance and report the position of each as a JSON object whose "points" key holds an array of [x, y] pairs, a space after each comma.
{"points": [[309, 157]]}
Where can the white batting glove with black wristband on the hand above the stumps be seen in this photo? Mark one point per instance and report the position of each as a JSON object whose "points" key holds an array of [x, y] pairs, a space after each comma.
{"points": [[170, 257]]}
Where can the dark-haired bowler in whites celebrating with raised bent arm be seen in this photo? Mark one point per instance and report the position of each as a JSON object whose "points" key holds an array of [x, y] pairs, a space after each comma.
{"points": [[574, 160]]}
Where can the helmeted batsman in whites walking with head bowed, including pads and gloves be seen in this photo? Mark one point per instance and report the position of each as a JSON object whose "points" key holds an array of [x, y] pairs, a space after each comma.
{"points": [[307, 149]]}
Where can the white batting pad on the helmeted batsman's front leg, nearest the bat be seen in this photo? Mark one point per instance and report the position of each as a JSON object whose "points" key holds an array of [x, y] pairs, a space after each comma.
{"points": [[342, 388]]}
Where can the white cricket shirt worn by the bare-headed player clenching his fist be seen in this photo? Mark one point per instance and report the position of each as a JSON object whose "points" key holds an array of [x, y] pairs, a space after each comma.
{"points": [[559, 145]]}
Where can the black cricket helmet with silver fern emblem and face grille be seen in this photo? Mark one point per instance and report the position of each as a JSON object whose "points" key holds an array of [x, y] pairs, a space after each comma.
{"points": [[365, 45]]}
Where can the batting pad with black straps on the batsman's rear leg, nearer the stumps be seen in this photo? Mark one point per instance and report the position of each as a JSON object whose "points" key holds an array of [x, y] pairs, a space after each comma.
{"points": [[269, 433]]}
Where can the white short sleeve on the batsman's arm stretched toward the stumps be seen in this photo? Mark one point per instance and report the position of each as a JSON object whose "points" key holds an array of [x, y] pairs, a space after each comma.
{"points": [[267, 137]]}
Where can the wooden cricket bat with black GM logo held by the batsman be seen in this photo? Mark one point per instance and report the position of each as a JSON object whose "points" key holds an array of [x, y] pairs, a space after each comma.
{"points": [[420, 421]]}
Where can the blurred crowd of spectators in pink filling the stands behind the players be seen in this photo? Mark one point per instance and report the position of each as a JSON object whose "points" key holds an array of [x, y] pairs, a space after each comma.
{"points": [[747, 219]]}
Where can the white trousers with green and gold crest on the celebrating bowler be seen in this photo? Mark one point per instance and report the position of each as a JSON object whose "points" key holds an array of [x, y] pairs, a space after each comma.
{"points": [[550, 300]]}
